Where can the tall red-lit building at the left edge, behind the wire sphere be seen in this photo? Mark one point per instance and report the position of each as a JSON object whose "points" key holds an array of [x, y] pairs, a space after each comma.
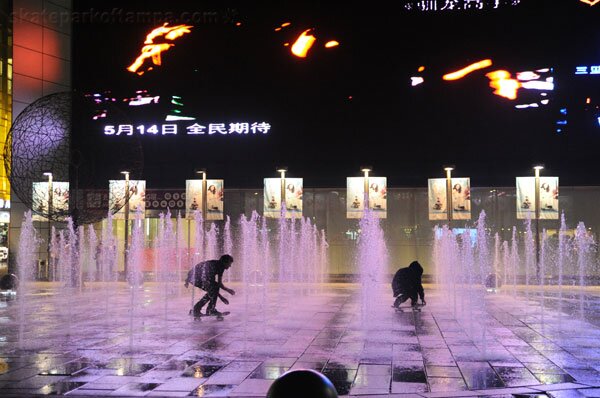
{"points": [[40, 46]]}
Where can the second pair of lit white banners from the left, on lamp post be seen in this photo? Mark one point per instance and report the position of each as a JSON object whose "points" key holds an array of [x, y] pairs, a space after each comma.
{"points": [[117, 198]]}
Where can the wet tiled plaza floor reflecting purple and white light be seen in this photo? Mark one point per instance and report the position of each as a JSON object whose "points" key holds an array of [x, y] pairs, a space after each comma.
{"points": [[516, 342]]}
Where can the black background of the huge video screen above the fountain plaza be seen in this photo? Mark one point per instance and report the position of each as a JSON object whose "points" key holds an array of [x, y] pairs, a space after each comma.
{"points": [[348, 106]]}
